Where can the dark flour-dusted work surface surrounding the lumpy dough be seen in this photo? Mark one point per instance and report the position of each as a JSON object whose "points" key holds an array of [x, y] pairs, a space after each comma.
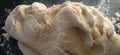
{"points": [[9, 46]]}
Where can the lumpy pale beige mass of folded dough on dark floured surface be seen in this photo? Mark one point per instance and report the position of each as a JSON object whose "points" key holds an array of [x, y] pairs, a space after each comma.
{"points": [[71, 28]]}
